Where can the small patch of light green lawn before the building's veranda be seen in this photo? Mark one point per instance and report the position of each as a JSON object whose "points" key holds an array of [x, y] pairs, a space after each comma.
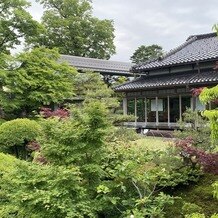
{"points": [[152, 143]]}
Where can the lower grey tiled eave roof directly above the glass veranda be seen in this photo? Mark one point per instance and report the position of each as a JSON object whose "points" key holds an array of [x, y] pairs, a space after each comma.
{"points": [[169, 80]]}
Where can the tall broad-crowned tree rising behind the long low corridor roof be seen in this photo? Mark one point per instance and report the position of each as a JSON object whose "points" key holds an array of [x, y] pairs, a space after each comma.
{"points": [[71, 27]]}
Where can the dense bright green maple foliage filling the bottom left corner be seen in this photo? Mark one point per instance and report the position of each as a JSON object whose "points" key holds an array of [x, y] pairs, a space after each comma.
{"points": [[44, 191]]}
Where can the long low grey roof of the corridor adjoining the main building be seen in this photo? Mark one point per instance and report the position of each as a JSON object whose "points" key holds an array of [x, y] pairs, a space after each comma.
{"points": [[98, 65]]}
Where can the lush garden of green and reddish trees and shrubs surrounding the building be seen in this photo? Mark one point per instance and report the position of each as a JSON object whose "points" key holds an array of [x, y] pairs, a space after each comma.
{"points": [[63, 150]]}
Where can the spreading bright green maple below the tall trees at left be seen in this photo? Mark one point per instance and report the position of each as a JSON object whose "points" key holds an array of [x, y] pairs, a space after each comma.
{"points": [[34, 79]]}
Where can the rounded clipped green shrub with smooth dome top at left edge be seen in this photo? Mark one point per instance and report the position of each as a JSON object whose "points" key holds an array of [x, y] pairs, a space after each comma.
{"points": [[15, 134]]}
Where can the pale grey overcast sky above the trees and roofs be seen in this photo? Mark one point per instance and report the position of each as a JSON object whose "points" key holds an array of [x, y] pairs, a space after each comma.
{"points": [[144, 22]]}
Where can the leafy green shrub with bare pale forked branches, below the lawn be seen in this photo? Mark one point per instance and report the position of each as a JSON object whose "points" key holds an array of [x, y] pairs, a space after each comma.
{"points": [[136, 176]]}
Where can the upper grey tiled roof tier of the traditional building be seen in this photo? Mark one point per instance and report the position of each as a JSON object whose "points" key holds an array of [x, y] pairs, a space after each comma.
{"points": [[196, 49]]}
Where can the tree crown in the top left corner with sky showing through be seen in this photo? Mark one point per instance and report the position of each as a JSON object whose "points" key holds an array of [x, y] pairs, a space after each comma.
{"points": [[16, 23]]}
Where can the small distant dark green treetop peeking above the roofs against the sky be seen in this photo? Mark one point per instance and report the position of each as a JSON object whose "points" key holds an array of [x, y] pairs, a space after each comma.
{"points": [[144, 53]]}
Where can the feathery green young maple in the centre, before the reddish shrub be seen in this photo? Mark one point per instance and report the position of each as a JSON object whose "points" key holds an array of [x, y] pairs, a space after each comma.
{"points": [[78, 141]]}
